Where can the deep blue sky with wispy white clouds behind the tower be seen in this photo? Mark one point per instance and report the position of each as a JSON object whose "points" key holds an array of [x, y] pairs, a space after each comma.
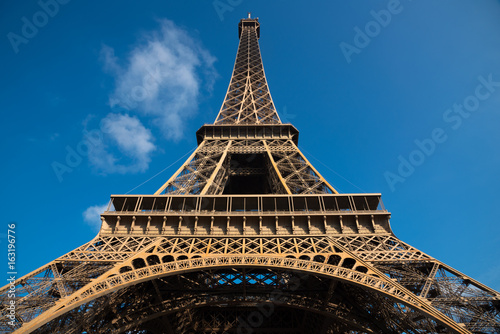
{"points": [[400, 98]]}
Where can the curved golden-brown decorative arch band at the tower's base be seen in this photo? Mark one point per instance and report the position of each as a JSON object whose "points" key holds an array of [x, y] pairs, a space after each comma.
{"points": [[115, 281]]}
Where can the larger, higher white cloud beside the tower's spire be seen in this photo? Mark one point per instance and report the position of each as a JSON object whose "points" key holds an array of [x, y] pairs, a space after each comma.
{"points": [[162, 77]]}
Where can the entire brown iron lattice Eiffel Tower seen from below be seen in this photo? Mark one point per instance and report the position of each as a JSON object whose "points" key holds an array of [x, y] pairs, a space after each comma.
{"points": [[248, 237]]}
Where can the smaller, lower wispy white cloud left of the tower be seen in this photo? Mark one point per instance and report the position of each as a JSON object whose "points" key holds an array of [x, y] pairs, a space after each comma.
{"points": [[133, 141]]}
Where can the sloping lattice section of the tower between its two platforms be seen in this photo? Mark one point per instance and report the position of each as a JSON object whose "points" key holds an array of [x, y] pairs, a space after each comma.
{"points": [[209, 169]]}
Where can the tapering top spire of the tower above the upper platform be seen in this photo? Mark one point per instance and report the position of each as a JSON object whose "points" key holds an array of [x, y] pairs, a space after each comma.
{"points": [[248, 100]]}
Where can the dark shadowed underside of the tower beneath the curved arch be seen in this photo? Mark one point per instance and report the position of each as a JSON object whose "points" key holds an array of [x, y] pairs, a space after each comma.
{"points": [[139, 308]]}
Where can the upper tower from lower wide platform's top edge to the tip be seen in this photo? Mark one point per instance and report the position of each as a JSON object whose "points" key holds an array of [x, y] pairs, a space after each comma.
{"points": [[247, 149]]}
